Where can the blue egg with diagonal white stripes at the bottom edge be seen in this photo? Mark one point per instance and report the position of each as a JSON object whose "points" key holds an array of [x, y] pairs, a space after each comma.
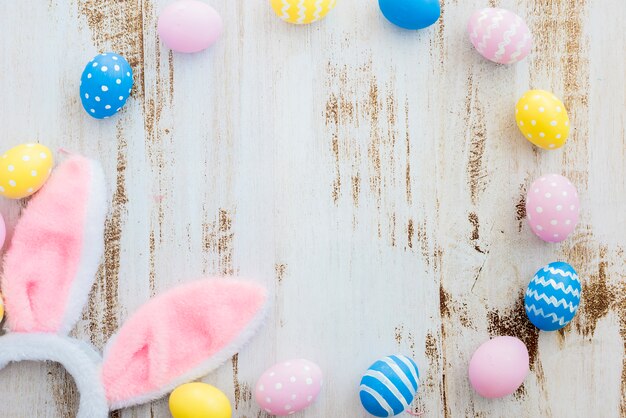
{"points": [[389, 386]]}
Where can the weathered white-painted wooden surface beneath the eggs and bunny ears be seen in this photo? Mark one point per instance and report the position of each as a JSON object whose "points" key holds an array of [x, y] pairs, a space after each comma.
{"points": [[373, 178]]}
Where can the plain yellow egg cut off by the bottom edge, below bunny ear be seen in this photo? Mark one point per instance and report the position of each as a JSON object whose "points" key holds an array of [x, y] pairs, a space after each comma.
{"points": [[199, 400]]}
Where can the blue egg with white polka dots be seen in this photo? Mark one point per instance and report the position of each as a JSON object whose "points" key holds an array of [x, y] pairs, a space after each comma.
{"points": [[105, 85]]}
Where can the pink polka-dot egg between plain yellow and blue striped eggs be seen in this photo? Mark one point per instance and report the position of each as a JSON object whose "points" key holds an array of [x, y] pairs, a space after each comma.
{"points": [[288, 387]]}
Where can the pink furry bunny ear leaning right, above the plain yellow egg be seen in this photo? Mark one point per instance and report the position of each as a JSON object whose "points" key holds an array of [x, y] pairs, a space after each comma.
{"points": [[180, 336]]}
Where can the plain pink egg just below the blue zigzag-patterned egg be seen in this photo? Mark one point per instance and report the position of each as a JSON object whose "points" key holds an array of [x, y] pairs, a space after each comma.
{"points": [[499, 366]]}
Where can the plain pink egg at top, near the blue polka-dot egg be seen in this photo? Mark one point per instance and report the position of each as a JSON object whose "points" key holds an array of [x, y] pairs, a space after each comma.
{"points": [[189, 26]]}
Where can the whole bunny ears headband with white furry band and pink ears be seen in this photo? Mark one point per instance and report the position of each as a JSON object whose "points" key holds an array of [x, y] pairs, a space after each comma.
{"points": [[49, 269]]}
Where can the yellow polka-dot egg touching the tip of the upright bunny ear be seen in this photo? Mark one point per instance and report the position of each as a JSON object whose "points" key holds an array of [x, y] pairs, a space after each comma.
{"points": [[24, 169]]}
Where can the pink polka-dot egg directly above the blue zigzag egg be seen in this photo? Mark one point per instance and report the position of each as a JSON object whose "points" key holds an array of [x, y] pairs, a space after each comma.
{"points": [[552, 207]]}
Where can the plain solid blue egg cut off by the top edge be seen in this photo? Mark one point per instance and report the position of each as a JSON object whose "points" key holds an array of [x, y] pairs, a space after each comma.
{"points": [[411, 14]]}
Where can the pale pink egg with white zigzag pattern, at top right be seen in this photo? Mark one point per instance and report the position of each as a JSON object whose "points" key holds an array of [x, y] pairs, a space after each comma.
{"points": [[499, 35]]}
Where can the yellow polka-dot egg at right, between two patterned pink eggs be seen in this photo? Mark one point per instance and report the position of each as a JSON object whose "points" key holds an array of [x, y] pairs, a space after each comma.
{"points": [[542, 119]]}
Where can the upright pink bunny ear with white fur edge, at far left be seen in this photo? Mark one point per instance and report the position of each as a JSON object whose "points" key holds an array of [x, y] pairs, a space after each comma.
{"points": [[50, 265]]}
